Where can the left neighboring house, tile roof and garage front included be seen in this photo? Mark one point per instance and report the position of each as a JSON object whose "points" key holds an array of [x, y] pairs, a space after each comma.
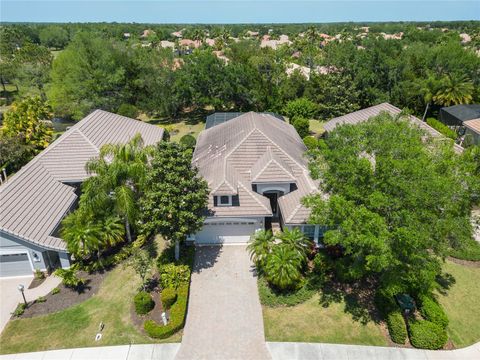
{"points": [[34, 201]]}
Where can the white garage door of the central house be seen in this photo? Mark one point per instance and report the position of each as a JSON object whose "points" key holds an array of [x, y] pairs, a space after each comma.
{"points": [[226, 232]]}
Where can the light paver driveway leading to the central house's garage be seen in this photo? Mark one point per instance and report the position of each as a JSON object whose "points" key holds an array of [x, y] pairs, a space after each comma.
{"points": [[224, 318]]}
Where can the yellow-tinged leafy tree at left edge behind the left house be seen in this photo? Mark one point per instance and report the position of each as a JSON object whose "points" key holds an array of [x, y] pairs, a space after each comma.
{"points": [[29, 120]]}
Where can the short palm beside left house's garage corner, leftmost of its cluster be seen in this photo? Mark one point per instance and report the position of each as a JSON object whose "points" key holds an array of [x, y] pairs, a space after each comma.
{"points": [[82, 235]]}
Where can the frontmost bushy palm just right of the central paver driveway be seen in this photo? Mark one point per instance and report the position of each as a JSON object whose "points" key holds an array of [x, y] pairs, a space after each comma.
{"points": [[283, 267]]}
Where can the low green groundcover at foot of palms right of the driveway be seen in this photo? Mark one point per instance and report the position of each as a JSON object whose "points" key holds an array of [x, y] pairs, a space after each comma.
{"points": [[272, 297]]}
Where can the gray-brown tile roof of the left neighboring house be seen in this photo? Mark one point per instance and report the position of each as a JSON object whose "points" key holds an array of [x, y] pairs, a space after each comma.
{"points": [[34, 200]]}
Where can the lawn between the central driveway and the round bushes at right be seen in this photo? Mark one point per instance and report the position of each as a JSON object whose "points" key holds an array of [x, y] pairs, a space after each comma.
{"points": [[311, 322]]}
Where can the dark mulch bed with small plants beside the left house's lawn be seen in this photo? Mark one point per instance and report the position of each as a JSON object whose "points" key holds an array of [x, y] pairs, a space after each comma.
{"points": [[66, 297]]}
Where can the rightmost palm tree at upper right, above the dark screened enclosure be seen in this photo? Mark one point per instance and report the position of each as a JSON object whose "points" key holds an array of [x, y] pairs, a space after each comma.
{"points": [[454, 89]]}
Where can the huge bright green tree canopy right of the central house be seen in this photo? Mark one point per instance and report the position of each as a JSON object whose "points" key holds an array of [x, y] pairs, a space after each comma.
{"points": [[398, 201]]}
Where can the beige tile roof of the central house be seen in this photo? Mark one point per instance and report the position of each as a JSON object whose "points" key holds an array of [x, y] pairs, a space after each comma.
{"points": [[253, 148]]}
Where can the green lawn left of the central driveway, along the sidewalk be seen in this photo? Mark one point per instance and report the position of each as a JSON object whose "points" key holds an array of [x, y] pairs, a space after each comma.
{"points": [[77, 326]]}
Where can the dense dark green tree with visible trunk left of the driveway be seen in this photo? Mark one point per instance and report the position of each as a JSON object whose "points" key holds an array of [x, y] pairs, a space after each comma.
{"points": [[175, 197]]}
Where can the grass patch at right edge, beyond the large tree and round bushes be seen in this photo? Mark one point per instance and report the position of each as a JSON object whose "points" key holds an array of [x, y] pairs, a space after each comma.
{"points": [[462, 305]]}
